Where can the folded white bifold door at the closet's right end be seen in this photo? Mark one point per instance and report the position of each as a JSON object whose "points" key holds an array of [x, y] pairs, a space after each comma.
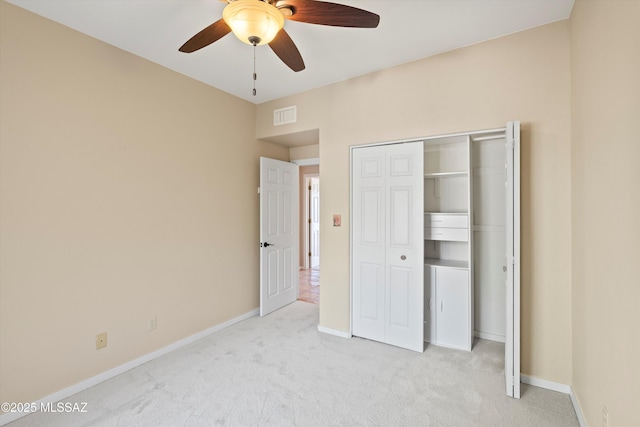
{"points": [[512, 232]]}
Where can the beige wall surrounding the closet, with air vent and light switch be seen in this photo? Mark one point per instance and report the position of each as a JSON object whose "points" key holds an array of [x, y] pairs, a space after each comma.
{"points": [[524, 76]]}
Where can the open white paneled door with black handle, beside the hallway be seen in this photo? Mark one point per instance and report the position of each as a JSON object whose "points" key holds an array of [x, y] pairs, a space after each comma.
{"points": [[278, 234]]}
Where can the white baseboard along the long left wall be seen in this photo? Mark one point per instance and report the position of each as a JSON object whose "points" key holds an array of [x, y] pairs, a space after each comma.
{"points": [[8, 417]]}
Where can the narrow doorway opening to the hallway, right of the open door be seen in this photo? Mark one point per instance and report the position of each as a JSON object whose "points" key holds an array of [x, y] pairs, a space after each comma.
{"points": [[310, 235]]}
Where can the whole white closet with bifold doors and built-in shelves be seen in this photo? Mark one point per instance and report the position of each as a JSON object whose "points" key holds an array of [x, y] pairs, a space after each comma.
{"points": [[435, 242]]}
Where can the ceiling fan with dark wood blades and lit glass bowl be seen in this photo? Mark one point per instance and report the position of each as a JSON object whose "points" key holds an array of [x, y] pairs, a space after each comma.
{"points": [[258, 22]]}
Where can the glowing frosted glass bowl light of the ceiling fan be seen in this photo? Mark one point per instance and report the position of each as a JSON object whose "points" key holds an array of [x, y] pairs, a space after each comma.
{"points": [[254, 22]]}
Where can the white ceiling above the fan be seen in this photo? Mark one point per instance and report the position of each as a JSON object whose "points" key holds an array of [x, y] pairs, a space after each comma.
{"points": [[408, 30]]}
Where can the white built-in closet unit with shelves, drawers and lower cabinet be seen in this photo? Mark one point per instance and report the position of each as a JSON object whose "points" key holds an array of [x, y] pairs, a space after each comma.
{"points": [[448, 242]]}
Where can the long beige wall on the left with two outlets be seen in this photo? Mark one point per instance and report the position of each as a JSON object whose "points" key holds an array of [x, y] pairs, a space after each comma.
{"points": [[127, 191]]}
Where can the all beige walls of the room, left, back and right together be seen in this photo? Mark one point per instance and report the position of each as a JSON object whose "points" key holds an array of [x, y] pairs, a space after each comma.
{"points": [[110, 209]]}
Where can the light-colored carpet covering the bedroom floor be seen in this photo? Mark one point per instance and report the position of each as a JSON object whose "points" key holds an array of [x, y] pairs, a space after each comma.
{"points": [[280, 371]]}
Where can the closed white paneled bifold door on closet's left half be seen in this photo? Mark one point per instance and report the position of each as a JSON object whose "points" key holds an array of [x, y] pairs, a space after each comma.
{"points": [[387, 244]]}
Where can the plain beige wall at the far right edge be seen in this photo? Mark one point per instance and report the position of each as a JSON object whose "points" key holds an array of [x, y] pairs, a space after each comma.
{"points": [[605, 46]]}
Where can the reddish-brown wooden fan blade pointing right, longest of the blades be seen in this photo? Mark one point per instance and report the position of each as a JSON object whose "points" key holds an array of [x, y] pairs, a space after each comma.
{"points": [[325, 13]]}
